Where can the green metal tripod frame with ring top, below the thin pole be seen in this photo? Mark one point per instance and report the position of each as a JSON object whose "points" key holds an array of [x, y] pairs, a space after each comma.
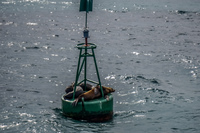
{"points": [[83, 55]]}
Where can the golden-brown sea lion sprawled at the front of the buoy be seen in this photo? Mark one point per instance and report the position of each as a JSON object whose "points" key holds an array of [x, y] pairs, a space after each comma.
{"points": [[94, 93]]}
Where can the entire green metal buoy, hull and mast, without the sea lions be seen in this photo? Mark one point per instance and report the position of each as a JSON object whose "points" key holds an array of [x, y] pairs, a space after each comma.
{"points": [[96, 110]]}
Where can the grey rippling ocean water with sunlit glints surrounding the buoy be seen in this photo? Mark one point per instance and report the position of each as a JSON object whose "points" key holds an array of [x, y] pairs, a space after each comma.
{"points": [[148, 51]]}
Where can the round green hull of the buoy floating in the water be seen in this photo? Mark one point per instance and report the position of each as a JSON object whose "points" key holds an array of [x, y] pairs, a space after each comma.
{"points": [[97, 110]]}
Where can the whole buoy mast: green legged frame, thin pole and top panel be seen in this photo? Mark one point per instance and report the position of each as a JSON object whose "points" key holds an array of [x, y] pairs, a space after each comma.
{"points": [[86, 5]]}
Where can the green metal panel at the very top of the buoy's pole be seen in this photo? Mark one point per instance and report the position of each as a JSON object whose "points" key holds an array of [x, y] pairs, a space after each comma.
{"points": [[86, 5]]}
